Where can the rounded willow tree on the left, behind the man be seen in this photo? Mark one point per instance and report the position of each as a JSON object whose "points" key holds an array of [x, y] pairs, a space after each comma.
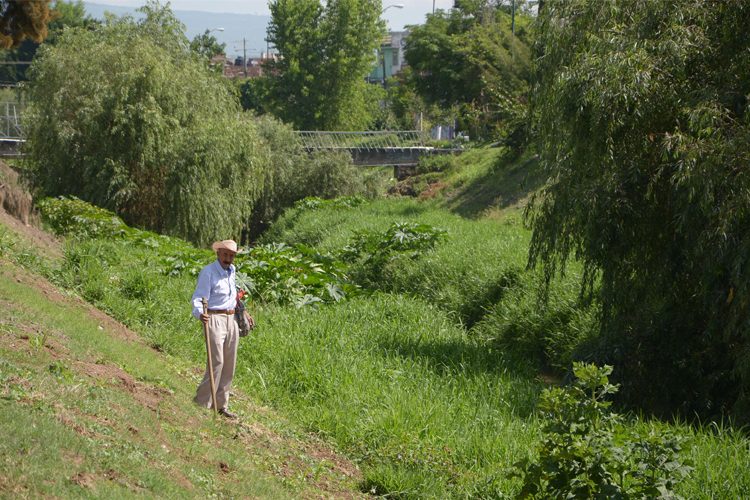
{"points": [[126, 117]]}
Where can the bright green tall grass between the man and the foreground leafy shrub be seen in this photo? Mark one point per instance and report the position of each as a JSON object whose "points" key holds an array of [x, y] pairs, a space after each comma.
{"points": [[393, 381]]}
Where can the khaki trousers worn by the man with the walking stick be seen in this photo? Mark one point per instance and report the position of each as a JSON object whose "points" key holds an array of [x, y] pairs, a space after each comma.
{"points": [[223, 335]]}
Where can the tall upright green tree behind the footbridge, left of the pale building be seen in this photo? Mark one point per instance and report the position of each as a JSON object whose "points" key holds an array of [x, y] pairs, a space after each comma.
{"points": [[325, 54]]}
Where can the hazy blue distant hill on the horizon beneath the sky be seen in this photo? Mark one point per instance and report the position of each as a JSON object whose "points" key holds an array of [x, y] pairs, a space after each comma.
{"points": [[251, 27]]}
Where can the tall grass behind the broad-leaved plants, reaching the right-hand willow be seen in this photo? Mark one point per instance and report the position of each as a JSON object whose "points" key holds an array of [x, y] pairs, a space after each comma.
{"points": [[478, 272]]}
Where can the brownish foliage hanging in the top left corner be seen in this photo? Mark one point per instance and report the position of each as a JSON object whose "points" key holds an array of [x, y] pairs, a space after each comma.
{"points": [[22, 20]]}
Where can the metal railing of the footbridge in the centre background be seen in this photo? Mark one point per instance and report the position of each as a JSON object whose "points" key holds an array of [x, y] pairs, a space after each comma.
{"points": [[380, 139]]}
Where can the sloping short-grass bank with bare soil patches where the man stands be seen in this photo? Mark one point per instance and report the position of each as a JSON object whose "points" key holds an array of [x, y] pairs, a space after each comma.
{"points": [[88, 408]]}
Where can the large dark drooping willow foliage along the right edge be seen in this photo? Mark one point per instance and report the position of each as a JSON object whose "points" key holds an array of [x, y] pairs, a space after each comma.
{"points": [[642, 113]]}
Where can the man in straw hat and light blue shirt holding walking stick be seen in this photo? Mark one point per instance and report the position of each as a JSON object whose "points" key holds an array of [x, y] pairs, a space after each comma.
{"points": [[216, 283]]}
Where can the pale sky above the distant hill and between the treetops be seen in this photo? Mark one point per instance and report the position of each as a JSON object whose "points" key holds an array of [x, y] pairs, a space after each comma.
{"points": [[413, 11]]}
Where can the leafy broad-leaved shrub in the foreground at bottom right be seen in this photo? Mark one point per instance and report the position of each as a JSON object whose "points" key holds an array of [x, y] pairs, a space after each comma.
{"points": [[588, 452]]}
